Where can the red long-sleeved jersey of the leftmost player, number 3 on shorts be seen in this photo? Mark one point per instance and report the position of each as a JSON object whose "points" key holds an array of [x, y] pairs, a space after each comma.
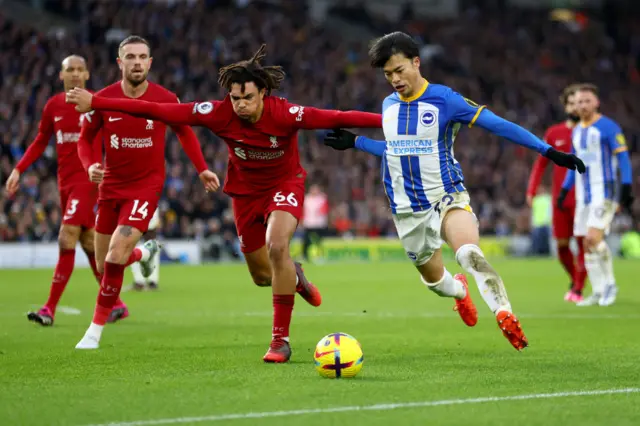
{"points": [[61, 119]]}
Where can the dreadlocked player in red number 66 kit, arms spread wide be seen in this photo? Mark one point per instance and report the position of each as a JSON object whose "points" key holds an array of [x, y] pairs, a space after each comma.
{"points": [[265, 179]]}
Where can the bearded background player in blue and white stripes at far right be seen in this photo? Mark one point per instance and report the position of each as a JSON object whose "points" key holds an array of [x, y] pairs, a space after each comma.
{"points": [[599, 141]]}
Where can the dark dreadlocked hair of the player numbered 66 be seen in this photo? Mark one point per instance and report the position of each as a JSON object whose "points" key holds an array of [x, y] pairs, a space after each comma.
{"points": [[242, 72]]}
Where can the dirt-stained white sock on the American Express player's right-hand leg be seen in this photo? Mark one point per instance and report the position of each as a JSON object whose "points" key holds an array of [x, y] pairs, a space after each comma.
{"points": [[472, 260]]}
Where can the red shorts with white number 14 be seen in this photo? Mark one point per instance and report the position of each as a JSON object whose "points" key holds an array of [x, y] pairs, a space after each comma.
{"points": [[135, 213]]}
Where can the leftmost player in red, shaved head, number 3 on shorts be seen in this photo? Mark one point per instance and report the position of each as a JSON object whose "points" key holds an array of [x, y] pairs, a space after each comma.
{"points": [[78, 196]]}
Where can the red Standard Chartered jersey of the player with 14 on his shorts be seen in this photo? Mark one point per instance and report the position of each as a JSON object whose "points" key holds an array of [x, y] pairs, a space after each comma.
{"points": [[134, 147]]}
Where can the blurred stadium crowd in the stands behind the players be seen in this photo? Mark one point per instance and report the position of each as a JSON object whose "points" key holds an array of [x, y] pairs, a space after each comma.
{"points": [[515, 61]]}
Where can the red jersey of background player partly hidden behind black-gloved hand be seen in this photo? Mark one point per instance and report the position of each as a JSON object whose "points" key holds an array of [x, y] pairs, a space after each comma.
{"points": [[559, 137]]}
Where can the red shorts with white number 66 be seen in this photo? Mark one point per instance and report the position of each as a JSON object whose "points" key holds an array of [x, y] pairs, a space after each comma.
{"points": [[251, 212]]}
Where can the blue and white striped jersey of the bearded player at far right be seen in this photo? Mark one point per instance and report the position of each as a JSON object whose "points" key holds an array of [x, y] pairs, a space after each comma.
{"points": [[597, 146]]}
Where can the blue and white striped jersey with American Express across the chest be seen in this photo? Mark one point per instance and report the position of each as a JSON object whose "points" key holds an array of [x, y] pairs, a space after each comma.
{"points": [[418, 166]]}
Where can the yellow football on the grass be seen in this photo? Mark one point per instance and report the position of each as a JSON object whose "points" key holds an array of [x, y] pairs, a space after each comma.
{"points": [[338, 355]]}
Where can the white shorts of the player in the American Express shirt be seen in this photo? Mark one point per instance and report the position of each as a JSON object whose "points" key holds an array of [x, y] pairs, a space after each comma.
{"points": [[419, 232]]}
